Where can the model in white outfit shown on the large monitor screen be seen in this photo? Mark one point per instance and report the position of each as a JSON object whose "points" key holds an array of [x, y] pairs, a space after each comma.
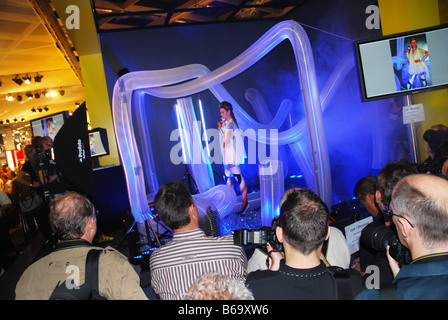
{"points": [[417, 64]]}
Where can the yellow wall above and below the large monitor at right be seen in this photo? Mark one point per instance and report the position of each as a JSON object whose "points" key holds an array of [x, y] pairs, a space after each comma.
{"points": [[407, 15]]}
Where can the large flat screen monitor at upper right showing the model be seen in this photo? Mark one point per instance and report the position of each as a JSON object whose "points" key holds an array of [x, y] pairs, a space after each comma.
{"points": [[404, 63]]}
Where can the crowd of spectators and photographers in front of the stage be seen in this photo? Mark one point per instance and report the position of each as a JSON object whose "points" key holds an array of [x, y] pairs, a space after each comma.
{"points": [[408, 203]]}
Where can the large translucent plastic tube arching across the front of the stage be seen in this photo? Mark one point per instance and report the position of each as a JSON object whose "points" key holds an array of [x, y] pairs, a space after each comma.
{"points": [[172, 83]]}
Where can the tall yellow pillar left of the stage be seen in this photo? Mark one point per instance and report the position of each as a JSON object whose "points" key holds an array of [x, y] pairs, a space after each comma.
{"points": [[85, 40]]}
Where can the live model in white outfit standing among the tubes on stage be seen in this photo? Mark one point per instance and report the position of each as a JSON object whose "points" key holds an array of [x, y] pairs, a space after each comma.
{"points": [[232, 149]]}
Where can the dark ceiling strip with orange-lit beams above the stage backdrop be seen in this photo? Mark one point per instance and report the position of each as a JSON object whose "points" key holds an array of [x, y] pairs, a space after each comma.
{"points": [[136, 14]]}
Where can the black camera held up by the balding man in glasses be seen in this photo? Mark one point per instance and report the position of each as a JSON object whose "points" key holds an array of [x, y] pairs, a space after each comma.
{"points": [[378, 236]]}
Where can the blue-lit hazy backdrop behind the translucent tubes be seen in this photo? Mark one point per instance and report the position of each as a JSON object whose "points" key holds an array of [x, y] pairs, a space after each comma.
{"points": [[350, 124]]}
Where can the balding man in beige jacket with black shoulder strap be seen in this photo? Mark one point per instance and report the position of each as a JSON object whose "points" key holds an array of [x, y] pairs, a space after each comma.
{"points": [[73, 217]]}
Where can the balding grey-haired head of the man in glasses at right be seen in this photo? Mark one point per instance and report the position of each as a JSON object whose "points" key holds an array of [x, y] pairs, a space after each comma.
{"points": [[424, 199]]}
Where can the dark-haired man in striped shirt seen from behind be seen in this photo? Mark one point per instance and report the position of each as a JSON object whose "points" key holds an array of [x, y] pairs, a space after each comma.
{"points": [[191, 254]]}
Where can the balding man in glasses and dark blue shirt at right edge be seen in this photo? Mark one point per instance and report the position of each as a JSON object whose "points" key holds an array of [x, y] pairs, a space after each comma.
{"points": [[419, 210]]}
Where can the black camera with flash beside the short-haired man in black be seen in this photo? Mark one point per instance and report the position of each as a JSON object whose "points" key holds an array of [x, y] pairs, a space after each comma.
{"points": [[258, 237]]}
